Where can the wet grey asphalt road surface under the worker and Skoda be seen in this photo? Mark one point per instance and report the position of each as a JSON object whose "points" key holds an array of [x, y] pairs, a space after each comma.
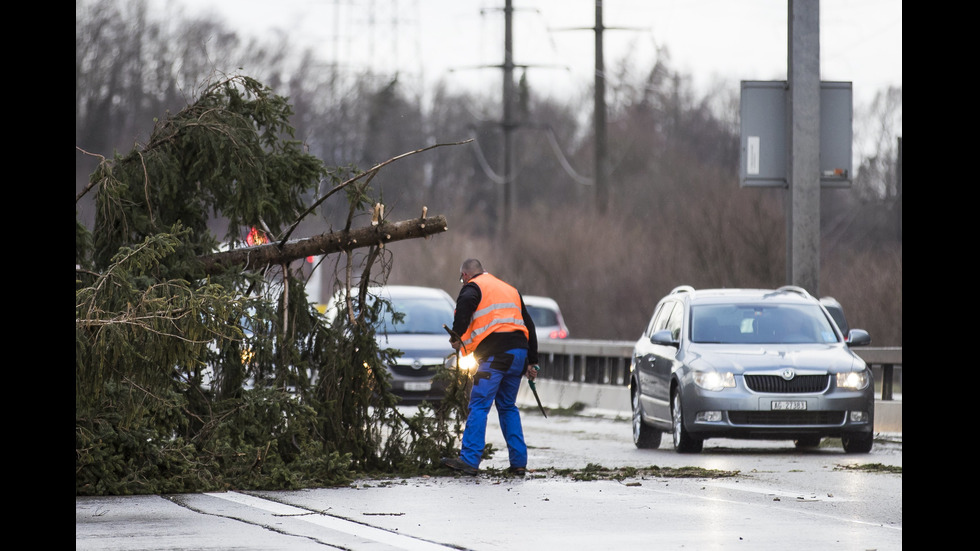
{"points": [[779, 499]]}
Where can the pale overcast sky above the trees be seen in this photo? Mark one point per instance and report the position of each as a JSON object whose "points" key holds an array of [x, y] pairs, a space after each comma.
{"points": [[710, 40]]}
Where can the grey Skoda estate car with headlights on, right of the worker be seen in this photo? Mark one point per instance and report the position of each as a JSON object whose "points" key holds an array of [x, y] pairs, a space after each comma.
{"points": [[749, 364]]}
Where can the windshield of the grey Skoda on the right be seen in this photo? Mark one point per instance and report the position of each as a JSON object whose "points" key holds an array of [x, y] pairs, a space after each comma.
{"points": [[760, 324]]}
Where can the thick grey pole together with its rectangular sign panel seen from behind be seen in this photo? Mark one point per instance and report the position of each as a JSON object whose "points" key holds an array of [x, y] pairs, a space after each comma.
{"points": [[797, 134]]}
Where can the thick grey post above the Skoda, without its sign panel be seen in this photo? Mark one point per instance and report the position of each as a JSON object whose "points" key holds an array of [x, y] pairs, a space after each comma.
{"points": [[803, 208]]}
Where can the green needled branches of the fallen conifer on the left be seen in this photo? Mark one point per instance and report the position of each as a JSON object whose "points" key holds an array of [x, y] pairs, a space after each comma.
{"points": [[189, 382]]}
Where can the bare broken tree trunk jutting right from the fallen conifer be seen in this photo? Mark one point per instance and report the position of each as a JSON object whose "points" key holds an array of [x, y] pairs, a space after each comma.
{"points": [[259, 256]]}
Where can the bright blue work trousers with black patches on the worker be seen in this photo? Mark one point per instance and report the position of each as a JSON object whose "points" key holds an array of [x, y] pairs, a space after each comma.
{"points": [[496, 382]]}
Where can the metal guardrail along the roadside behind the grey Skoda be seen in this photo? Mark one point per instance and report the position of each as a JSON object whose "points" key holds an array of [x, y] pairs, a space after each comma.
{"points": [[608, 362]]}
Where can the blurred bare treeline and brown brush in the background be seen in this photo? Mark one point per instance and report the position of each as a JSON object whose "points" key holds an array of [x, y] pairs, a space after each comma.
{"points": [[676, 214]]}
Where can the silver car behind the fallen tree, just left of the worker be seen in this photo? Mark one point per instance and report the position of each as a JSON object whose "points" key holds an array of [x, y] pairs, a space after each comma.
{"points": [[419, 336]]}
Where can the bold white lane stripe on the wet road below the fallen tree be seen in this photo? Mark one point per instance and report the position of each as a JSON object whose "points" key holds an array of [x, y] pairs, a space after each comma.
{"points": [[334, 523]]}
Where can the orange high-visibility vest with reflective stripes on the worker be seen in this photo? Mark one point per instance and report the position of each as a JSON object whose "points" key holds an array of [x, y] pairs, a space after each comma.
{"points": [[499, 310]]}
